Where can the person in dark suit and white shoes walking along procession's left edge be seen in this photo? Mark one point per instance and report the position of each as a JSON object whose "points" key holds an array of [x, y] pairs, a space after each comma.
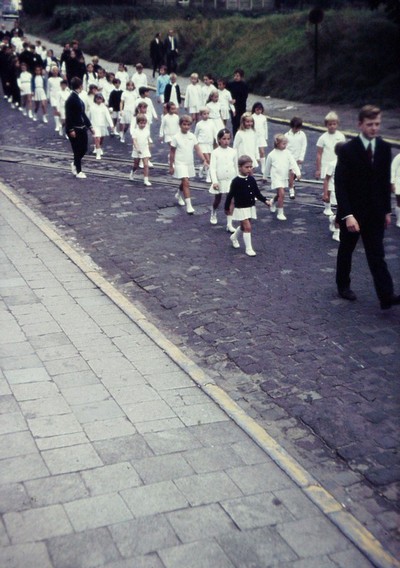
{"points": [[76, 126]]}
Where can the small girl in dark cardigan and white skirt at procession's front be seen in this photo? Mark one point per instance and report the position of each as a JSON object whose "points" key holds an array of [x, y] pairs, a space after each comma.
{"points": [[244, 192]]}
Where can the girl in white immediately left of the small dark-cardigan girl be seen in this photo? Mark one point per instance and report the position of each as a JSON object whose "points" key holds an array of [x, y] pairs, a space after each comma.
{"points": [[223, 168]]}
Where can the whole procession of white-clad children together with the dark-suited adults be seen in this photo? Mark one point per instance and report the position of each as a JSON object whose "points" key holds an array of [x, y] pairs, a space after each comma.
{"points": [[86, 97]]}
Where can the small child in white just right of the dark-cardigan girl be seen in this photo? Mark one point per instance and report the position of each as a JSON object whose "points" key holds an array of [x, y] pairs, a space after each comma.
{"points": [[278, 165]]}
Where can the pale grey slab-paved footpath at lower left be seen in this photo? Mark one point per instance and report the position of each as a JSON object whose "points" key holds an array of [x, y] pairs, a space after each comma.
{"points": [[111, 455]]}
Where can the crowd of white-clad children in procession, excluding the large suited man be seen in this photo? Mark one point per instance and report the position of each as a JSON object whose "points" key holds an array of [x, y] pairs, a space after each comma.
{"points": [[118, 104]]}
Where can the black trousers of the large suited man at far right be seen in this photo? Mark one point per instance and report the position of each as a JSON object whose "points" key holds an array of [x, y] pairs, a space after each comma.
{"points": [[372, 234]]}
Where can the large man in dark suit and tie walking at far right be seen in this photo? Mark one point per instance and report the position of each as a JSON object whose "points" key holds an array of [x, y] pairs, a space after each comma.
{"points": [[363, 193]]}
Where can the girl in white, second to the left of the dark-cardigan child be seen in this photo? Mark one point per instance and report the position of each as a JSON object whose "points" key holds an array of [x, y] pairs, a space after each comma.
{"points": [[181, 162]]}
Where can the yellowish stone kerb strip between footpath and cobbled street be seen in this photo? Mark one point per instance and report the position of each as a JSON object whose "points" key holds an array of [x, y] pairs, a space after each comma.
{"points": [[326, 502]]}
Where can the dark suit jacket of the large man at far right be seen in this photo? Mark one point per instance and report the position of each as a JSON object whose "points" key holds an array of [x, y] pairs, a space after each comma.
{"points": [[363, 189]]}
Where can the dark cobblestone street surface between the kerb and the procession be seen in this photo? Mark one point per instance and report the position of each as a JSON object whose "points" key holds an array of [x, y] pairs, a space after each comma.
{"points": [[318, 374]]}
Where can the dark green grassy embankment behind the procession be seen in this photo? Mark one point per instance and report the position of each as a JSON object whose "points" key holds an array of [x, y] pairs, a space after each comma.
{"points": [[358, 50]]}
